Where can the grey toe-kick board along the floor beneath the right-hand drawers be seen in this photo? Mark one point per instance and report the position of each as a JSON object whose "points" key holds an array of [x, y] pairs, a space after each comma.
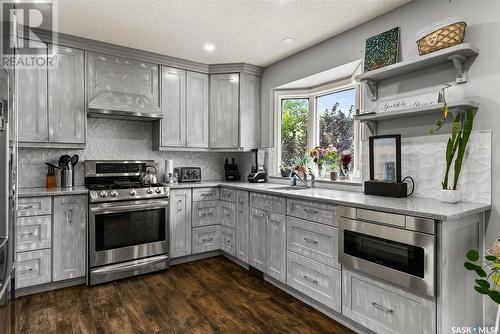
{"points": [[319, 307]]}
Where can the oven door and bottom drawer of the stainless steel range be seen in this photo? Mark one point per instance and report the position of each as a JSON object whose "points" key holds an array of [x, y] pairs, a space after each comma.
{"points": [[127, 238]]}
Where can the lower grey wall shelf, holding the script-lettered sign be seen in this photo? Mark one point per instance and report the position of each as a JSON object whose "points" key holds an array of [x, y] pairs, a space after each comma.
{"points": [[371, 119]]}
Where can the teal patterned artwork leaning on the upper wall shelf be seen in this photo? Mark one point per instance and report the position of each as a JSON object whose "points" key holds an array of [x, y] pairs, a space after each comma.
{"points": [[382, 50]]}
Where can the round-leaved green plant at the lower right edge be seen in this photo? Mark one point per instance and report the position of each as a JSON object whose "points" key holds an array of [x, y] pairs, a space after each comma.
{"points": [[488, 275]]}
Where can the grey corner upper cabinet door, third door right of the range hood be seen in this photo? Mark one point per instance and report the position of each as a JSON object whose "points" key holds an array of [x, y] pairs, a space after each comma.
{"points": [[224, 110]]}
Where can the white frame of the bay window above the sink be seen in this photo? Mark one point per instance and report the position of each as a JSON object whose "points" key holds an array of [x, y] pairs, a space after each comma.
{"points": [[313, 124]]}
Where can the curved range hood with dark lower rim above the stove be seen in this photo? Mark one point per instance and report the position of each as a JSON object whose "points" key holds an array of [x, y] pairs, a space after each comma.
{"points": [[120, 105]]}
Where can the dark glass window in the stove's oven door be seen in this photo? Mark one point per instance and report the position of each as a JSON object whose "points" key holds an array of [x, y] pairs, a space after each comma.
{"points": [[129, 229]]}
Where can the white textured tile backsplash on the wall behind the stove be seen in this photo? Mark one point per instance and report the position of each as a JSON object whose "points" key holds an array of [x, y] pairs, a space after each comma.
{"points": [[120, 140]]}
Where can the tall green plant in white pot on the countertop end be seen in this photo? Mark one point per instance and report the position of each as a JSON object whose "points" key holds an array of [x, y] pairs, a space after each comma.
{"points": [[455, 150]]}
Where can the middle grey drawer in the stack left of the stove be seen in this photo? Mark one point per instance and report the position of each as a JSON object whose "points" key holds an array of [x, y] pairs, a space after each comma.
{"points": [[33, 233]]}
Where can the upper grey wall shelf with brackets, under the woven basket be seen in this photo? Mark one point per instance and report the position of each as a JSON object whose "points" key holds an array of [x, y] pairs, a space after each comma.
{"points": [[457, 55]]}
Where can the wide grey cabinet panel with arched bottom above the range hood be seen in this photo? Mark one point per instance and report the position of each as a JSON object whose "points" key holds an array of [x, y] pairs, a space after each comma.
{"points": [[116, 74]]}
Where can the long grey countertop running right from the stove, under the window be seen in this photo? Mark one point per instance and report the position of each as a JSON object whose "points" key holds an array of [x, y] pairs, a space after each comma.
{"points": [[412, 206]]}
